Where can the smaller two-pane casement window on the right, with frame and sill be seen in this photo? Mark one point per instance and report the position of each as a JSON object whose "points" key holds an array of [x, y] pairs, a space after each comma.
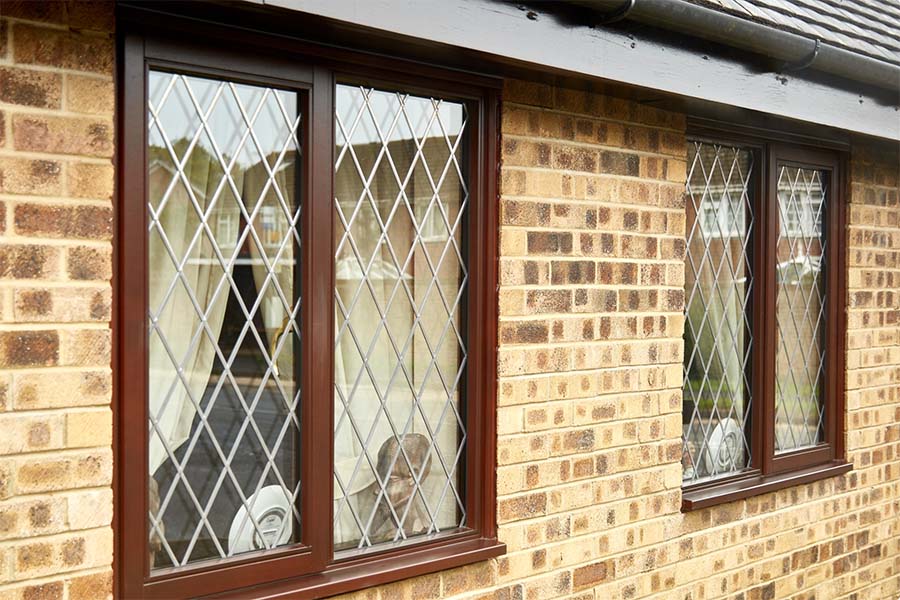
{"points": [[764, 289]]}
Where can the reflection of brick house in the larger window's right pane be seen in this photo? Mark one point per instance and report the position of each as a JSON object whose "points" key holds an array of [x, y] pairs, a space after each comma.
{"points": [[416, 253]]}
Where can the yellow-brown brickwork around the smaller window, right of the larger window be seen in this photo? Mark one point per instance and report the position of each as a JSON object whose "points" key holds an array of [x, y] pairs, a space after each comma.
{"points": [[589, 407]]}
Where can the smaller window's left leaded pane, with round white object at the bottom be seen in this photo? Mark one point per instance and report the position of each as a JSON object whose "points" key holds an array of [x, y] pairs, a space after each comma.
{"points": [[718, 281]]}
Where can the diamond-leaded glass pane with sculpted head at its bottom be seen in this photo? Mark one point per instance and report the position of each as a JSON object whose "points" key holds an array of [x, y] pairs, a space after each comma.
{"points": [[400, 348]]}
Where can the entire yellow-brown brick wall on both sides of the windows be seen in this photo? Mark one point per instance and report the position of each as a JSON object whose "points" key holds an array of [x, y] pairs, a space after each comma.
{"points": [[589, 407]]}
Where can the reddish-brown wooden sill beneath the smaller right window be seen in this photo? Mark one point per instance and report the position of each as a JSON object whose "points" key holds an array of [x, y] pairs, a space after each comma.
{"points": [[728, 491]]}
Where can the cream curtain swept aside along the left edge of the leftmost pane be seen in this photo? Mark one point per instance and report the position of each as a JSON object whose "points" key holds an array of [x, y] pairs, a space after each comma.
{"points": [[170, 397]]}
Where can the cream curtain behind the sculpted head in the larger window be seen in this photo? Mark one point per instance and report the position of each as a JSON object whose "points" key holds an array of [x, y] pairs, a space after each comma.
{"points": [[385, 292]]}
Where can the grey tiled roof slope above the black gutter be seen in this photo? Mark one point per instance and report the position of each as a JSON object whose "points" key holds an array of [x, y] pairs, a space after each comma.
{"points": [[869, 27]]}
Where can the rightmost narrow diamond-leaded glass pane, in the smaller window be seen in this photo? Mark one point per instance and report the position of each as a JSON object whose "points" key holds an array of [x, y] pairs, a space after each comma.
{"points": [[800, 309]]}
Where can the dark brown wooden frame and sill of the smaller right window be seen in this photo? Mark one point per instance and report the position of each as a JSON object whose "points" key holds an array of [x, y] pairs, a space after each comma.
{"points": [[770, 472]]}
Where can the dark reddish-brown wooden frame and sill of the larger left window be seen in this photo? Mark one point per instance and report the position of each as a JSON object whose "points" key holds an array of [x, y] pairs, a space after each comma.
{"points": [[308, 569]]}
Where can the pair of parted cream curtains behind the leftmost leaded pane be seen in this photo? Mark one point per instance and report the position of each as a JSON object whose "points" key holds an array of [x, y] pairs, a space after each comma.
{"points": [[202, 272]]}
